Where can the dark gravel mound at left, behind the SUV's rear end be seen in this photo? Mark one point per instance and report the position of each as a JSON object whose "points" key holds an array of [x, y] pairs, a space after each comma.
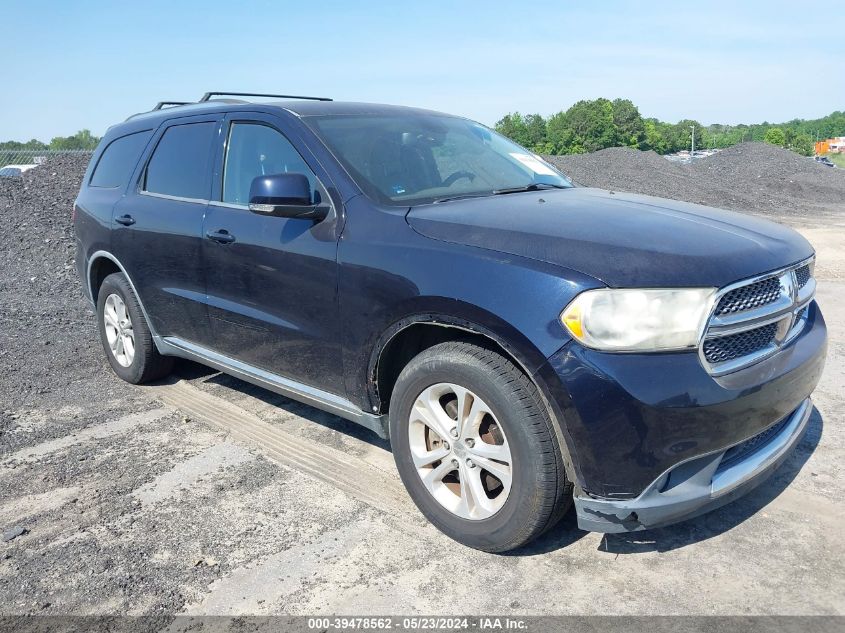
{"points": [[47, 334]]}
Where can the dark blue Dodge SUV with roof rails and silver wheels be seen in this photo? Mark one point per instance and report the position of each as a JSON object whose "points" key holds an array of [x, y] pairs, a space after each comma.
{"points": [[521, 341]]}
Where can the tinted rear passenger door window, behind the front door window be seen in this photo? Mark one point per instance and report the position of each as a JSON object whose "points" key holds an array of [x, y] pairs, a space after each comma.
{"points": [[180, 164]]}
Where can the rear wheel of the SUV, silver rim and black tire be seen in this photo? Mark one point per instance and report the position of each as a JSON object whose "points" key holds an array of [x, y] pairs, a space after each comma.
{"points": [[144, 363]]}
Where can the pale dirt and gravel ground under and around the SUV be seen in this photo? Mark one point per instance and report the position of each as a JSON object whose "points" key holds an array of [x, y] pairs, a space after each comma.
{"points": [[206, 495]]}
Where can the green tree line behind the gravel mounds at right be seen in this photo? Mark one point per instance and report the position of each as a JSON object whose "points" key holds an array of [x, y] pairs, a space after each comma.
{"points": [[591, 125]]}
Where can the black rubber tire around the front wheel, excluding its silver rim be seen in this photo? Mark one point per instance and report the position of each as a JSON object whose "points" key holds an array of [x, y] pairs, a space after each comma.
{"points": [[511, 524]]}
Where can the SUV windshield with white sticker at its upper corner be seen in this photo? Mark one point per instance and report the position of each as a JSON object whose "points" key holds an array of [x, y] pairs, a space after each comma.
{"points": [[413, 158]]}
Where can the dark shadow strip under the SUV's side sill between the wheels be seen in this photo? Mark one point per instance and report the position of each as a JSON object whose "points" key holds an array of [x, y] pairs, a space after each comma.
{"points": [[188, 370]]}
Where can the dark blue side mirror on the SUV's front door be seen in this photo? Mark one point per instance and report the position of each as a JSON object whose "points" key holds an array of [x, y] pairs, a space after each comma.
{"points": [[285, 196]]}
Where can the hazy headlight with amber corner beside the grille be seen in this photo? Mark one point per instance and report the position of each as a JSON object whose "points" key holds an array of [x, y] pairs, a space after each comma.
{"points": [[639, 320]]}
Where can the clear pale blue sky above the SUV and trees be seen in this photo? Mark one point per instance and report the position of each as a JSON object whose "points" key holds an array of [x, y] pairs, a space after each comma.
{"points": [[71, 65]]}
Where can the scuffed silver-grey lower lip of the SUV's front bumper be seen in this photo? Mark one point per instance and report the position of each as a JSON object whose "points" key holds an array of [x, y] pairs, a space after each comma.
{"points": [[700, 484]]}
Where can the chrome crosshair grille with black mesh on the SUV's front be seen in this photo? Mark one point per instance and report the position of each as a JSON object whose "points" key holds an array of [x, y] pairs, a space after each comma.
{"points": [[753, 319]]}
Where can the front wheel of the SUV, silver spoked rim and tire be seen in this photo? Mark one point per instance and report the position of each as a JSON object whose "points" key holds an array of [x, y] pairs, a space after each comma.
{"points": [[513, 419]]}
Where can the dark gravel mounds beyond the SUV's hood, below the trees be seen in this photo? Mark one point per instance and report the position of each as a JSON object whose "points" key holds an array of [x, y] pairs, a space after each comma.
{"points": [[751, 177]]}
